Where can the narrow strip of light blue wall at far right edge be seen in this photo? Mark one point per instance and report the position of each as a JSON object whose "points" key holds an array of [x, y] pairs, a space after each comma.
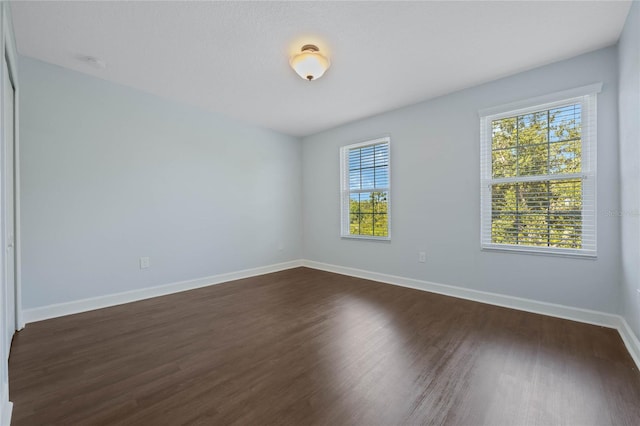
{"points": [[629, 112]]}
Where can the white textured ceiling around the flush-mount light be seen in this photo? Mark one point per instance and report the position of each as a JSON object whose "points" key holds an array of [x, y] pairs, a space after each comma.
{"points": [[232, 57]]}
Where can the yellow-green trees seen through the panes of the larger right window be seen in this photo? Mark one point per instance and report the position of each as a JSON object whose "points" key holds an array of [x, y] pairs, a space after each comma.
{"points": [[545, 212]]}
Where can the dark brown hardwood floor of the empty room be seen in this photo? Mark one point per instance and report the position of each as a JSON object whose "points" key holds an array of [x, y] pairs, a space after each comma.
{"points": [[304, 347]]}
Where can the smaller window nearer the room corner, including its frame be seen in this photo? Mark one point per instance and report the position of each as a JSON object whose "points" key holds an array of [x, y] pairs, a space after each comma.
{"points": [[365, 189]]}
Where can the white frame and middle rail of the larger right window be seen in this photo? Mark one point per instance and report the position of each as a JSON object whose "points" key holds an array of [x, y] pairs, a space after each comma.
{"points": [[586, 96]]}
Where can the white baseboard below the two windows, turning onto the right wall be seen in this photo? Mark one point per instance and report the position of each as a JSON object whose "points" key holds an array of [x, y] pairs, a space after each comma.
{"points": [[551, 309]]}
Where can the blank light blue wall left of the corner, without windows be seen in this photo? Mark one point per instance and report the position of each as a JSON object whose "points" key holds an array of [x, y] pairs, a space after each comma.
{"points": [[110, 174]]}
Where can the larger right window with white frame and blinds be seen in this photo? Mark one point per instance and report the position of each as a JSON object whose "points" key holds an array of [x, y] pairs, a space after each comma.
{"points": [[538, 167]]}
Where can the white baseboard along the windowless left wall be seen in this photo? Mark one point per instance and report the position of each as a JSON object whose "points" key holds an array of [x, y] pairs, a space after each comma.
{"points": [[84, 305]]}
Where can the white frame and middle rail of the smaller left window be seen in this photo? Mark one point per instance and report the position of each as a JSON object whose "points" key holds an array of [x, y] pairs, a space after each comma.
{"points": [[345, 190]]}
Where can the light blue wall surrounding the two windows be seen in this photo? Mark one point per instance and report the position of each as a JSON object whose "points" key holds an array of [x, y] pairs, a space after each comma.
{"points": [[436, 193]]}
